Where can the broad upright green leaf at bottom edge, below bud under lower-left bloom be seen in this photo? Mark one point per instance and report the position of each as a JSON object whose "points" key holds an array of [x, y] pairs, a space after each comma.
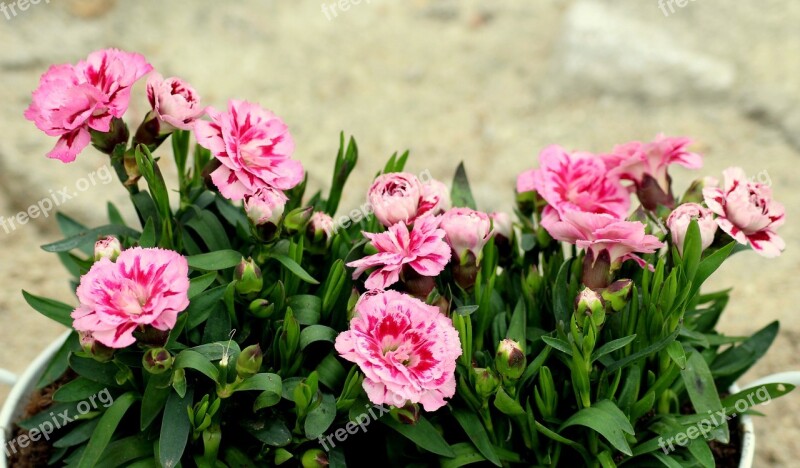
{"points": [[175, 429]]}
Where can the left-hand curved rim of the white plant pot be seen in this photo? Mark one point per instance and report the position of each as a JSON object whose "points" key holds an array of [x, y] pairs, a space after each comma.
{"points": [[23, 386]]}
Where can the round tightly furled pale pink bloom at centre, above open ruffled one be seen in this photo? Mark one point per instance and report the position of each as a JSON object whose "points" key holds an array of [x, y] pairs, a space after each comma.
{"points": [[395, 197]]}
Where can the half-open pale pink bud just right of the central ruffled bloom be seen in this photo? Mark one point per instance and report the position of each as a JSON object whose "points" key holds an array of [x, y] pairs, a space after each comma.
{"points": [[466, 230]]}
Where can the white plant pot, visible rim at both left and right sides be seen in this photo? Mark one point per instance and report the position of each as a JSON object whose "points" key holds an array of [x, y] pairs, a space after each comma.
{"points": [[25, 384]]}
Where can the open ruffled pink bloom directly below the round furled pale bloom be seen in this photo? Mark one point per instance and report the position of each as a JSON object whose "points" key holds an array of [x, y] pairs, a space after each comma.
{"points": [[422, 248]]}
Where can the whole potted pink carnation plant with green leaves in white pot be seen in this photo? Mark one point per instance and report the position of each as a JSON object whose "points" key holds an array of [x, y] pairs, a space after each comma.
{"points": [[247, 325]]}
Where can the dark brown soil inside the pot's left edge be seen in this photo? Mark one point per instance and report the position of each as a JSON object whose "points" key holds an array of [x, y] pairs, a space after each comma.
{"points": [[37, 453]]}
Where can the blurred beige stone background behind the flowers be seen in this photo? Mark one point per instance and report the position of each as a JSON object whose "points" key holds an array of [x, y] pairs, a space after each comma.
{"points": [[490, 83]]}
